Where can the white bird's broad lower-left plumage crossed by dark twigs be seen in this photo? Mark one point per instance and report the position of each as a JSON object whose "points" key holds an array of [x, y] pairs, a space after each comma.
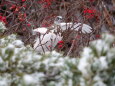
{"points": [[46, 41]]}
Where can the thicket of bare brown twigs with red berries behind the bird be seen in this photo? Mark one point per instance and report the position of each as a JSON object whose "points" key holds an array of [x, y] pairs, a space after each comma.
{"points": [[22, 16]]}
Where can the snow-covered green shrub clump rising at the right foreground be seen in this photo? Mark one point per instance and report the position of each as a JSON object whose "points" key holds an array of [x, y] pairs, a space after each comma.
{"points": [[97, 63]]}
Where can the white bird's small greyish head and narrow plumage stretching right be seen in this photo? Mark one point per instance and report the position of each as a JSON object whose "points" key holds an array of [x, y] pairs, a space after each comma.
{"points": [[73, 26]]}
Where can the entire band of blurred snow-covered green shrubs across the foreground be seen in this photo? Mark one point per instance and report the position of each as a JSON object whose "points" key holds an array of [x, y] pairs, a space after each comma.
{"points": [[22, 66]]}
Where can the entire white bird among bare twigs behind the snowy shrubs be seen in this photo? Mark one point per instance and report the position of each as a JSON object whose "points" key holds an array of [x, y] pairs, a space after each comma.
{"points": [[47, 39]]}
